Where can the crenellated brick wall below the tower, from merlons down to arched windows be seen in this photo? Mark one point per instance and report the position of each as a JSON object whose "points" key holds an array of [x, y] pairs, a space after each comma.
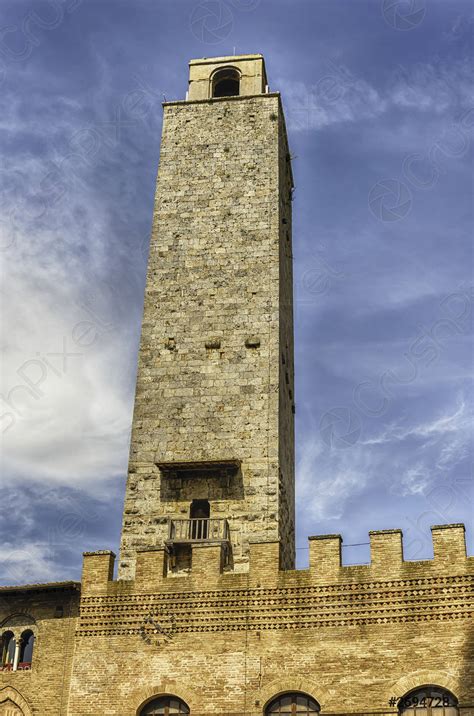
{"points": [[226, 643]]}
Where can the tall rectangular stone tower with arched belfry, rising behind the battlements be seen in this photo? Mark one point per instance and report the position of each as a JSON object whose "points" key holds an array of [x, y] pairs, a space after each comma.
{"points": [[212, 449]]}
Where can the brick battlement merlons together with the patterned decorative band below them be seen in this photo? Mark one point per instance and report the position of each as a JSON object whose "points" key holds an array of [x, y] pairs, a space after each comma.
{"points": [[389, 590]]}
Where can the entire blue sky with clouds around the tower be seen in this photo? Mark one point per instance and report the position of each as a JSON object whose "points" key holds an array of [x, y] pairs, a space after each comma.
{"points": [[380, 111]]}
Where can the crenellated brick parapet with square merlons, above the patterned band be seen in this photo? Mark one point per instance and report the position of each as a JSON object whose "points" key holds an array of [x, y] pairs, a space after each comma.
{"points": [[207, 571]]}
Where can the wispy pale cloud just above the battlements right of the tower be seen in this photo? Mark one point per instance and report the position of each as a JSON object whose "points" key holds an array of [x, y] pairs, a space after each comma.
{"points": [[406, 459]]}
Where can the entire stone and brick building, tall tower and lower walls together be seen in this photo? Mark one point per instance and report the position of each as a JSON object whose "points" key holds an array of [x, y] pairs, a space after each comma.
{"points": [[208, 614]]}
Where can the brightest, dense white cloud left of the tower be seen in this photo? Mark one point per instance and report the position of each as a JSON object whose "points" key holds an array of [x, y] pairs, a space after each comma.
{"points": [[67, 412]]}
